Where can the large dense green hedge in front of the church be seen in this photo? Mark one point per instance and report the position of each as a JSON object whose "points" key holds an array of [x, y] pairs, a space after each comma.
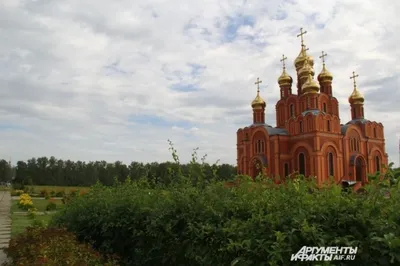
{"points": [[251, 223]]}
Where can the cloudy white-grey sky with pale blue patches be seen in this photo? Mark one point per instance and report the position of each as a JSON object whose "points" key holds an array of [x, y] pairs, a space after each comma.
{"points": [[114, 80]]}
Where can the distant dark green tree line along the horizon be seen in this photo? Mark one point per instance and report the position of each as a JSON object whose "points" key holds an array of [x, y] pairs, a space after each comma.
{"points": [[58, 172]]}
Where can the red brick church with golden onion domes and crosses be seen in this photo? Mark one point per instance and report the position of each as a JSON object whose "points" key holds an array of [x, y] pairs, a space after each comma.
{"points": [[309, 138]]}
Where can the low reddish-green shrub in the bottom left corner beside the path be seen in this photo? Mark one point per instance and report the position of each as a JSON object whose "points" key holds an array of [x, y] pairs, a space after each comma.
{"points": [[52, 247]]}
